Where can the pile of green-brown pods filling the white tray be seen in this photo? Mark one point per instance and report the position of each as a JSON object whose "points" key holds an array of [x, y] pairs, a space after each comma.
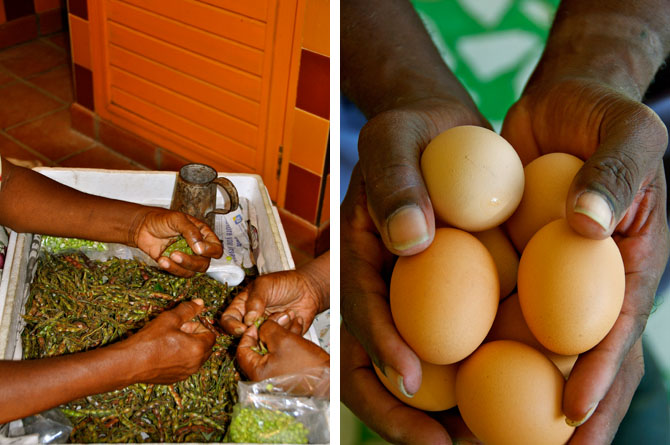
{"points": [[76, 304]]}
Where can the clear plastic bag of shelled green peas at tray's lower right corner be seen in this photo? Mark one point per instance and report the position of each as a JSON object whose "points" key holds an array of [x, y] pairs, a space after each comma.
{"points": [[283, 410]]}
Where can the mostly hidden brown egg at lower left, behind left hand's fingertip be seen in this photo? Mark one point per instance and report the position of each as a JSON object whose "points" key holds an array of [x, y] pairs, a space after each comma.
{"points": [[437, 391]]}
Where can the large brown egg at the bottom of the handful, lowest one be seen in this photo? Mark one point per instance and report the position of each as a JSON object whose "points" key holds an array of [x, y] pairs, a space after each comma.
{"points": [[509, 393]]}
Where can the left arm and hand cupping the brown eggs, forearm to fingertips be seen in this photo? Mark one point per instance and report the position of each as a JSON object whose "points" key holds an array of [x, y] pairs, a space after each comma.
{"points": [[392, 71]]}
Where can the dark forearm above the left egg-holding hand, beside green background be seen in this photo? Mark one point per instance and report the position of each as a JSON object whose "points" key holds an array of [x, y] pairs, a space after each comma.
{"points": [[389, 60]]}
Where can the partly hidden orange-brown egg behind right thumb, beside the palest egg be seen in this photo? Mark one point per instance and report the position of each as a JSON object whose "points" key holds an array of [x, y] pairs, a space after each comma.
{"points": [[548, 180]]}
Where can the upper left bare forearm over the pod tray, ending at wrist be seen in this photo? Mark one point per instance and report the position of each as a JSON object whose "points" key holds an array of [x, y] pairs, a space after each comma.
{"points": [[31, 202]]}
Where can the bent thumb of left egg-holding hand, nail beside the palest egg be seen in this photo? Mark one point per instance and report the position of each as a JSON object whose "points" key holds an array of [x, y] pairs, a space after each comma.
{"points": [[390, 147]]}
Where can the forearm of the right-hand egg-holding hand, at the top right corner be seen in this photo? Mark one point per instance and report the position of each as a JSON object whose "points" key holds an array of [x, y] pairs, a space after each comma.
{"points": [[619, 43]]}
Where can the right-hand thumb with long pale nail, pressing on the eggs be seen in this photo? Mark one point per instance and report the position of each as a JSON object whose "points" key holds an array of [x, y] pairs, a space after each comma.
{"points": [[626, 159]]}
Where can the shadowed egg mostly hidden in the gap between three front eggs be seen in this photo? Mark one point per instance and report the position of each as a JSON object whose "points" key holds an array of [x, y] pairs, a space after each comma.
{"points": [[510, 325]]}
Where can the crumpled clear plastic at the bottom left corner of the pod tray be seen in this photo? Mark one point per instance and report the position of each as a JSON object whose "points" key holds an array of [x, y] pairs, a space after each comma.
{"points": [[51, 426]]}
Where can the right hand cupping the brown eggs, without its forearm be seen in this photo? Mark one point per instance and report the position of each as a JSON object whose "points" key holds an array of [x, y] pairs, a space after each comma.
{"points": [[620, 191]]}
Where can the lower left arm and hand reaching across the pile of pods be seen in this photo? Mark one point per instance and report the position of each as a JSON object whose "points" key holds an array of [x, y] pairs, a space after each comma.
{"points": [[168, 349]]}
